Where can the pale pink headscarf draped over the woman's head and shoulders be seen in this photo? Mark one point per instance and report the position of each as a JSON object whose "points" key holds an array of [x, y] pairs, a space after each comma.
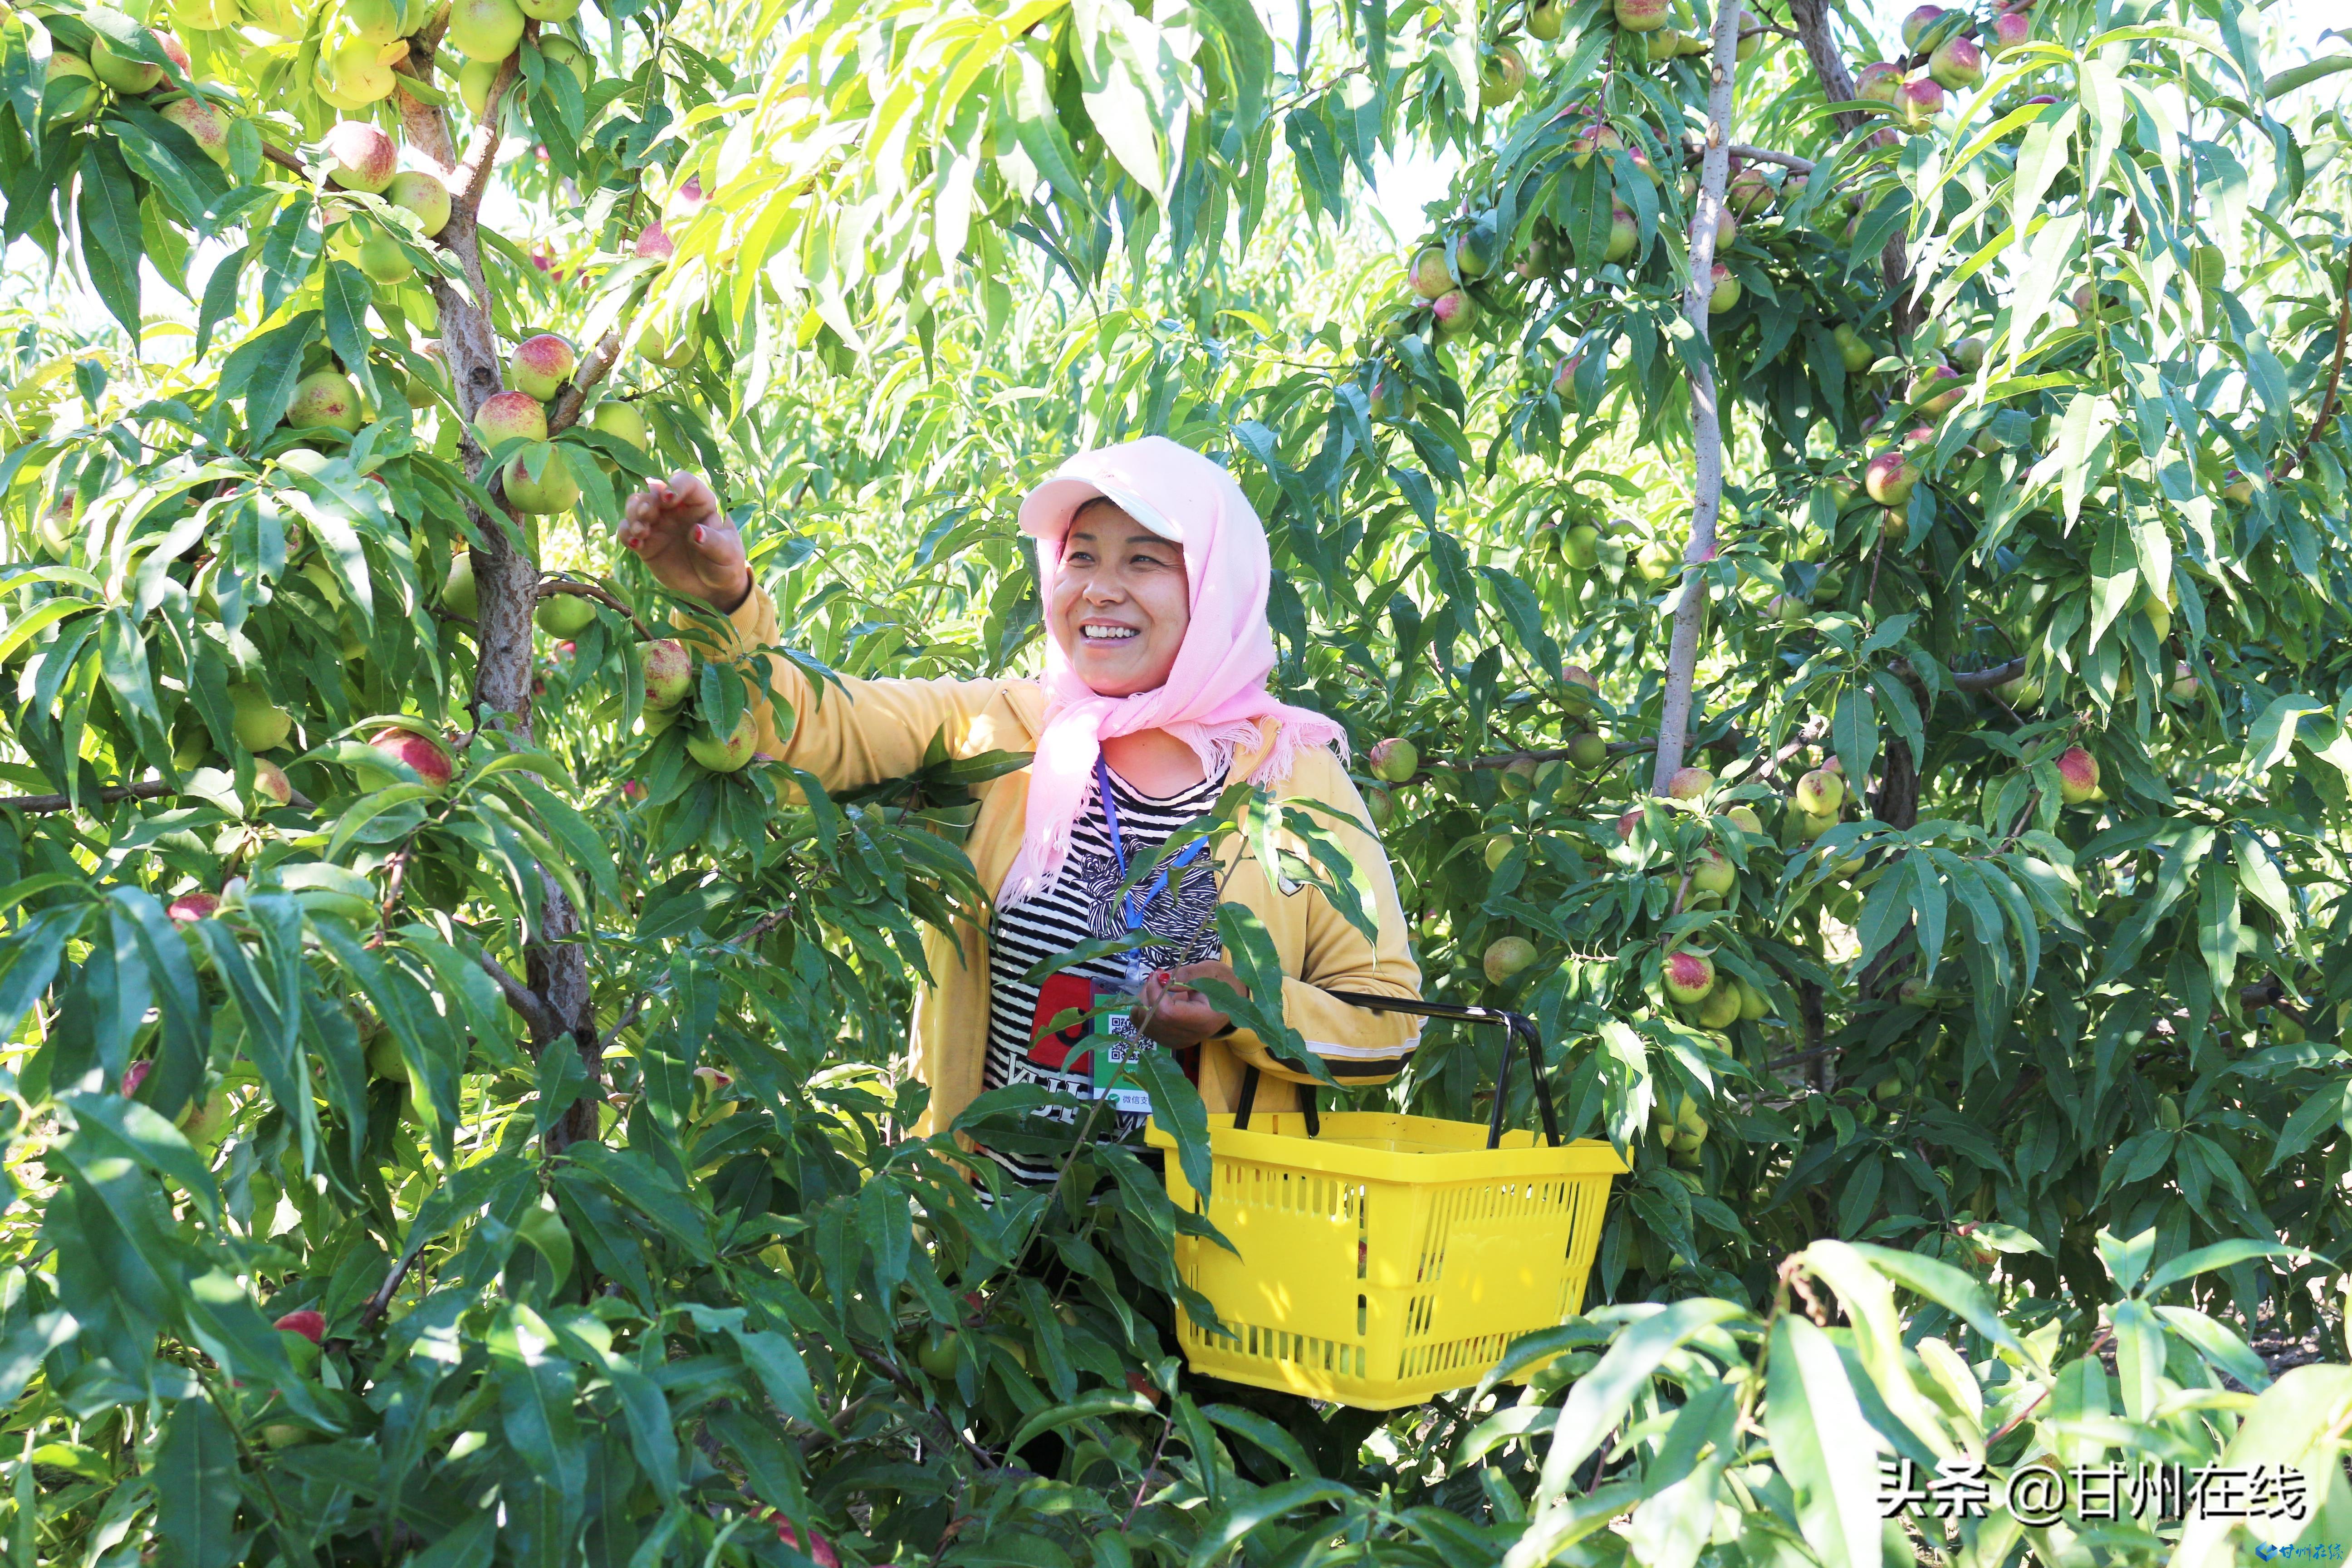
{"points": [[1217, 692]]}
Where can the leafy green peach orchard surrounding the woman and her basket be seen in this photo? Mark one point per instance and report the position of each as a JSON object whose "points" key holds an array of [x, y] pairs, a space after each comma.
{"points": [[1831, 551]]}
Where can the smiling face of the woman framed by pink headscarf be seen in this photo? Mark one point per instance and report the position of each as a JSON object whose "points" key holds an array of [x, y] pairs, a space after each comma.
{"points": [[1121, 603]]}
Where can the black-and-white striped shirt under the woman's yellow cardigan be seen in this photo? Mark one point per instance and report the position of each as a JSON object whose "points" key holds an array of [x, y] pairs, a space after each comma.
{"points": [[1083, 904]]}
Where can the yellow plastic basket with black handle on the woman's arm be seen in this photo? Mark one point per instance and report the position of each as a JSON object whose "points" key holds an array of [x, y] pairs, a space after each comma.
{"points": [[1384, 1259]]}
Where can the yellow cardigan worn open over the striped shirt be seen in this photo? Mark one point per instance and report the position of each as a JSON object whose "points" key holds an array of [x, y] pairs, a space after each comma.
{"points": [[878, 730]]}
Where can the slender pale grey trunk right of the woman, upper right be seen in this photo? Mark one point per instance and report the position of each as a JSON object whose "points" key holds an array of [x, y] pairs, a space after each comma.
{"points": [[1706, 420]]}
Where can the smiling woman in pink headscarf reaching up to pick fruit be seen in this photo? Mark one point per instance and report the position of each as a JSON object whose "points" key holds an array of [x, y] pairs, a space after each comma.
{"points": [[1154, 577]]}
